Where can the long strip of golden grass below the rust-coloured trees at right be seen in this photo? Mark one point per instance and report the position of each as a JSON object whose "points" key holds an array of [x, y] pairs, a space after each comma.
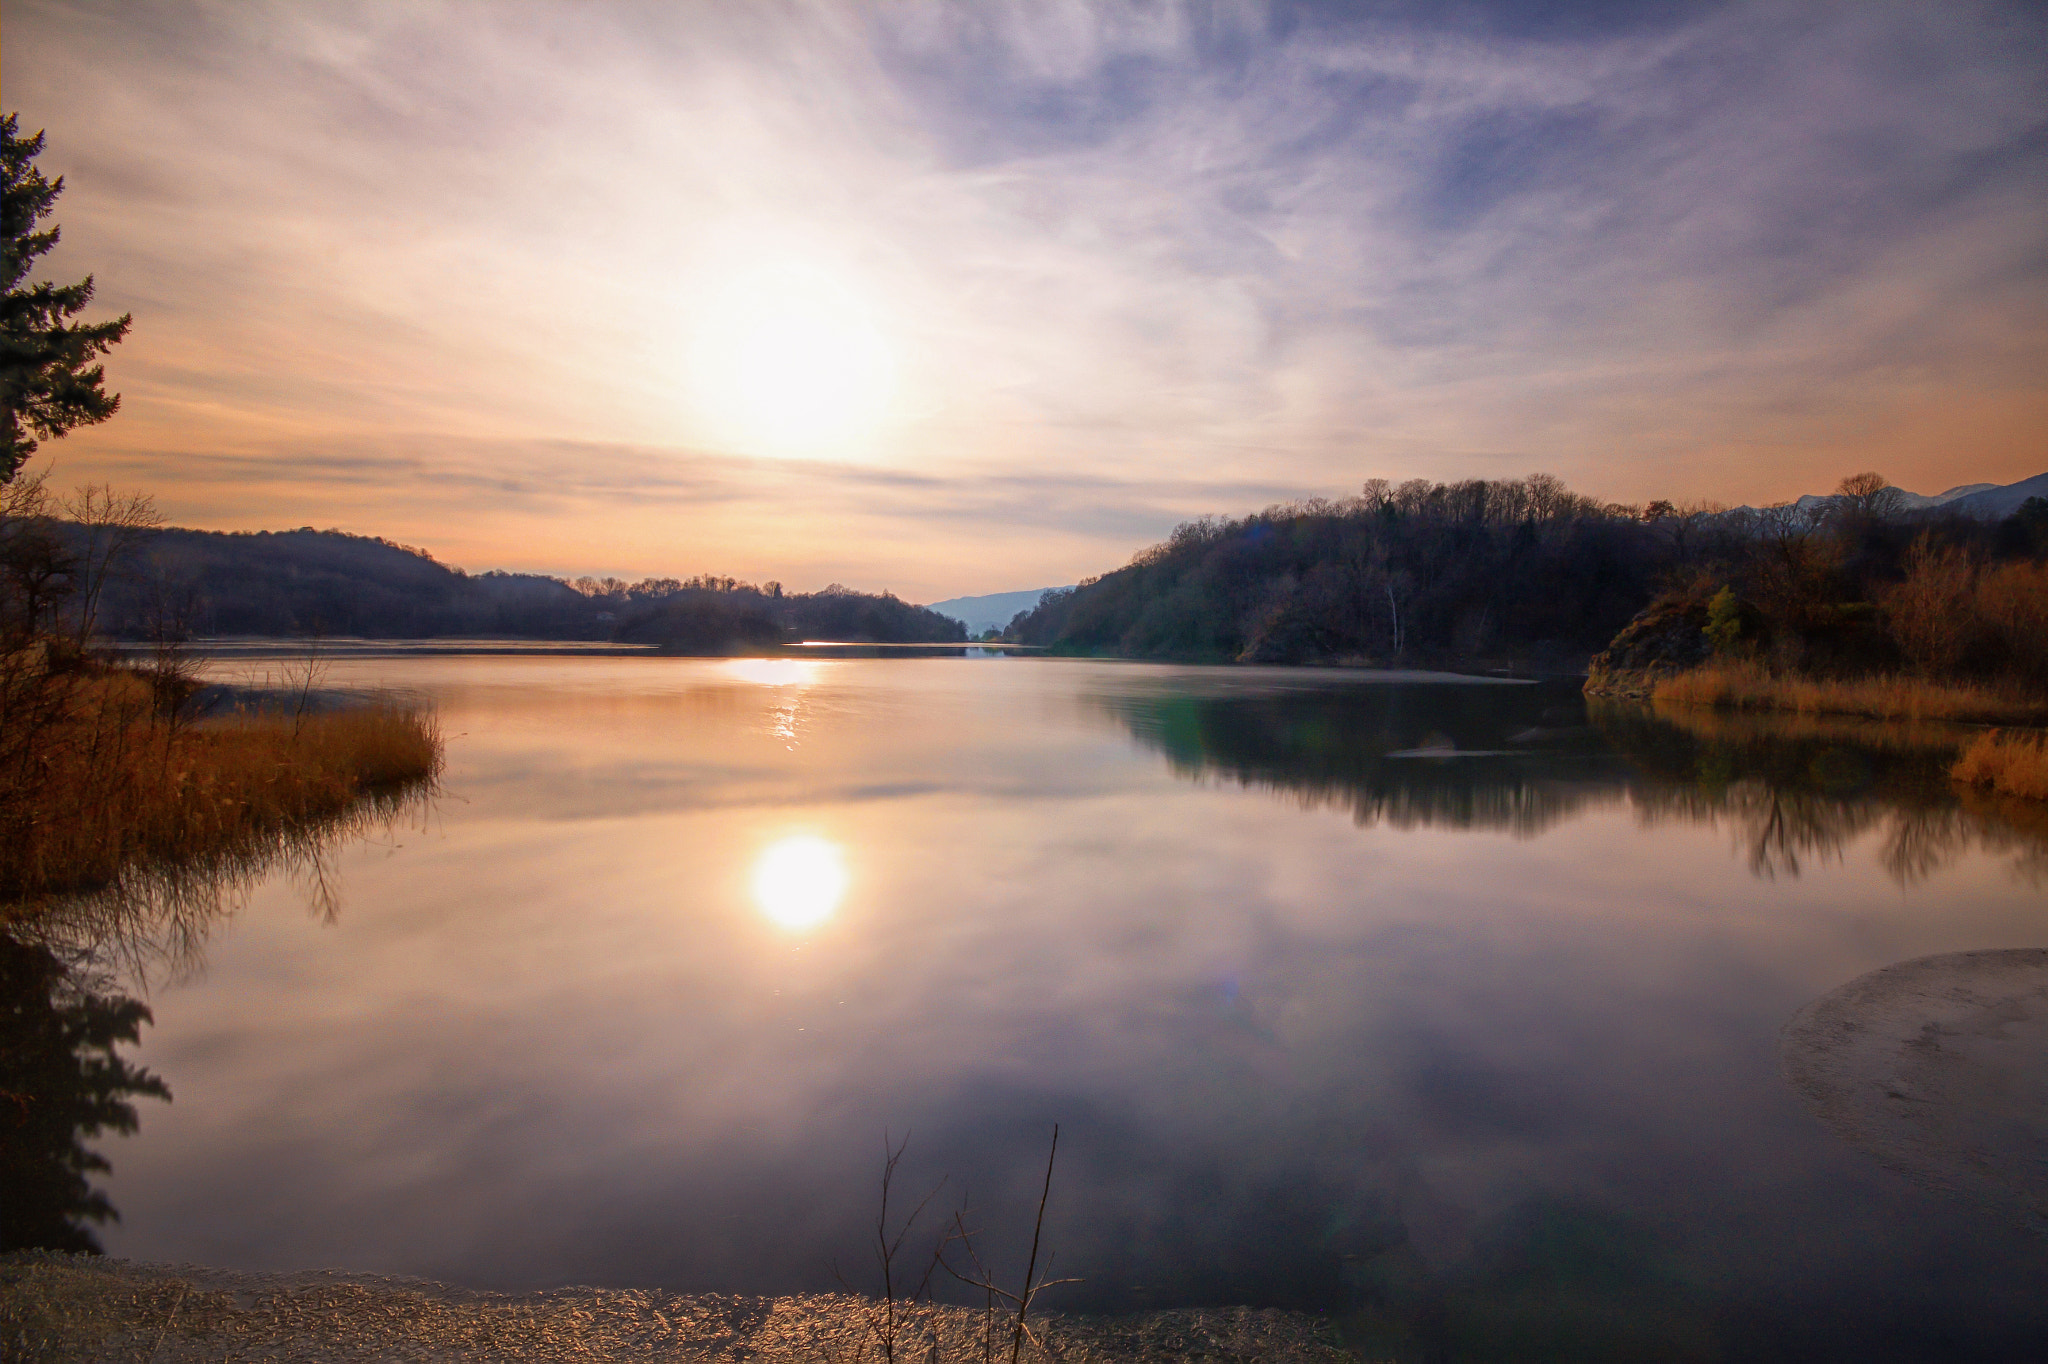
{"points": [[1750, 687]]}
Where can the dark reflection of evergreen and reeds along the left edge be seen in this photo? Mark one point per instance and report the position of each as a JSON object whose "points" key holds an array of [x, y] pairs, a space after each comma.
{"points": [[65, 1013]]}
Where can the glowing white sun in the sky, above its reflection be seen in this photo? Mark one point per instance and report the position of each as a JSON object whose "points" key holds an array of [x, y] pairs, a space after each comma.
{"points": [[787, 361]]}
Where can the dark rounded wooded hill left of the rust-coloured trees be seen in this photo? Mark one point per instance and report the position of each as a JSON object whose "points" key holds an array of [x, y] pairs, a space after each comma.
{"points": [[1424, 572]]}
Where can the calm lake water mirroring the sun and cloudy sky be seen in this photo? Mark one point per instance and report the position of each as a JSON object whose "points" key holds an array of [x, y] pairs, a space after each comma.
{"points": [[1443, 1005]]}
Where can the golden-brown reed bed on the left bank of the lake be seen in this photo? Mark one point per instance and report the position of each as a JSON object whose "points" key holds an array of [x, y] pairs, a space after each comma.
{"points": [[105, 785]]}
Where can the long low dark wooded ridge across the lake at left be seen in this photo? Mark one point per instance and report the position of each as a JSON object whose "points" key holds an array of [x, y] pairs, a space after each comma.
{"points": [[144, 583]]}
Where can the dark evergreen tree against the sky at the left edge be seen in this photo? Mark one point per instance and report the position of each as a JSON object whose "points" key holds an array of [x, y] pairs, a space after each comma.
{"points": [[48, 382]]}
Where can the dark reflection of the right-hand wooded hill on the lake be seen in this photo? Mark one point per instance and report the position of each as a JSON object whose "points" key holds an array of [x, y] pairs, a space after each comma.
{"points": [[1527, 759]]}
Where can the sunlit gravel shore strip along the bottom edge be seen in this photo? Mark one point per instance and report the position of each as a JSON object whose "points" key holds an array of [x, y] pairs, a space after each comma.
{"points": [[91, 1310]]}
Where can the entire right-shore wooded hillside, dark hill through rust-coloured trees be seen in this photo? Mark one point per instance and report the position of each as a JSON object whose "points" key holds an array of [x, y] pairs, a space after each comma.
{"points": [[1531, 574]]}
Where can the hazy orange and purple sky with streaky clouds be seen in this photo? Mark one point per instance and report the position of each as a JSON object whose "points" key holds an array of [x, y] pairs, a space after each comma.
{"points": [[970, 298]]}
